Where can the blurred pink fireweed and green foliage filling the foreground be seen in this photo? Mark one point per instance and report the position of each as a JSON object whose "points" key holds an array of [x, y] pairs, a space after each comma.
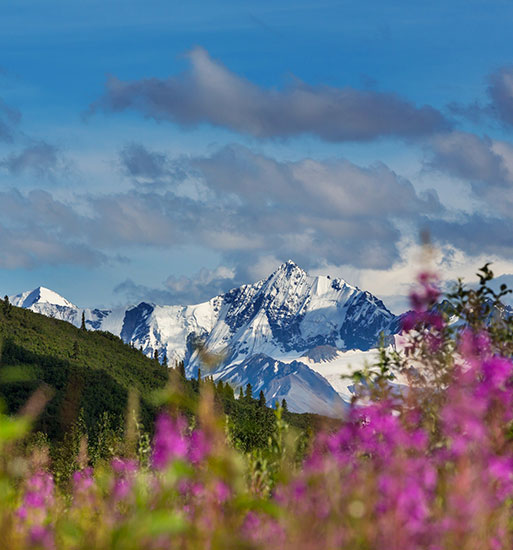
{"points": [[425, 466]]}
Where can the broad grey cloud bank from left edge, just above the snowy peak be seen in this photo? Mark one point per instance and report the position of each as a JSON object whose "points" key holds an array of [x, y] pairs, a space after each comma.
{"points": [[254, 206]]}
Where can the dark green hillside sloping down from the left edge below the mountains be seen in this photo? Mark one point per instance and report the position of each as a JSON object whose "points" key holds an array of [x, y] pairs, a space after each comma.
{"points": [[88, 371]]}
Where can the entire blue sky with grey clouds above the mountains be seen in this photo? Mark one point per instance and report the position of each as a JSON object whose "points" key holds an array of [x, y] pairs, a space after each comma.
{"points": [[168, 152]]}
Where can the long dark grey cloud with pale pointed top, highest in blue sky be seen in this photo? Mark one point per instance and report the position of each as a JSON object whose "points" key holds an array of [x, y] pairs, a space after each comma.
{"points": [[209, 93]]}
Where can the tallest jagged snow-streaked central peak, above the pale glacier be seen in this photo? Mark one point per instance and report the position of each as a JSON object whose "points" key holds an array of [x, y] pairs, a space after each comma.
{"points": [[291, 312]]}
